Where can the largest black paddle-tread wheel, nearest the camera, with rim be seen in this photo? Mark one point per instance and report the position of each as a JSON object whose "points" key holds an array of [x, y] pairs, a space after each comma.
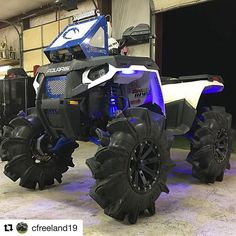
{"points": [[131, 170]]}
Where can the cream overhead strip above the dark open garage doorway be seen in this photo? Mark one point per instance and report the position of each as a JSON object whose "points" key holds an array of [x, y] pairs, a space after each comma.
{"points": [[164, 5]]}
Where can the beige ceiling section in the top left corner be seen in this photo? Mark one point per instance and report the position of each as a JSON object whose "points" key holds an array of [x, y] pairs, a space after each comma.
{"points": [[11, 8]]}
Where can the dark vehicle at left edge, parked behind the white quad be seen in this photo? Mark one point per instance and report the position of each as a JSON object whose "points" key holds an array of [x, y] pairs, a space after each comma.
{"points": [[16, 95]]}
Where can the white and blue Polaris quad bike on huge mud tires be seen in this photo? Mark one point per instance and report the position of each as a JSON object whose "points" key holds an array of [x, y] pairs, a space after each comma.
{"points": [[121, 101]]}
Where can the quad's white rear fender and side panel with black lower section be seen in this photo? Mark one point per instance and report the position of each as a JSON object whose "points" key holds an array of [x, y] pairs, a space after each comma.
{"points": [[181, 100]]}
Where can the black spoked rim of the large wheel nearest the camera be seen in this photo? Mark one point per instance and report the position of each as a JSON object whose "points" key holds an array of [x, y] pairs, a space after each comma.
{"points": [[144, 166]]}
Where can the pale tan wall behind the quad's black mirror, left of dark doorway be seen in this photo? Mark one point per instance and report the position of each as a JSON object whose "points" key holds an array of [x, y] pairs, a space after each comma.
{"points": [[126, 13]]}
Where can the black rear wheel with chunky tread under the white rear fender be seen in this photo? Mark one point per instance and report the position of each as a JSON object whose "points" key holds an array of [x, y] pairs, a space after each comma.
{"points": [[211, 145]]}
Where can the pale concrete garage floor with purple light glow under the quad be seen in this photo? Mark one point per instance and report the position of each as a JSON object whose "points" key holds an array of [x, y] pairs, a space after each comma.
{"points": [[191, 208]]}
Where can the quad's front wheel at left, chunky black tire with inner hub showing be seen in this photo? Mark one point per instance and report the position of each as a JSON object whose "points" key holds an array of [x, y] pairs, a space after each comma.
{"points": [[31, 156]]}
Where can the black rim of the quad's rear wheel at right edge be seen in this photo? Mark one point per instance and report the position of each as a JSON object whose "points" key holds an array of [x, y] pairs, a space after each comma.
{"points": [[221, 146]]}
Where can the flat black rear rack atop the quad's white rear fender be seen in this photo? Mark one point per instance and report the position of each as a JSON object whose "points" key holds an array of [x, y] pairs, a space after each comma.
{"points": [[182, 79]]}
